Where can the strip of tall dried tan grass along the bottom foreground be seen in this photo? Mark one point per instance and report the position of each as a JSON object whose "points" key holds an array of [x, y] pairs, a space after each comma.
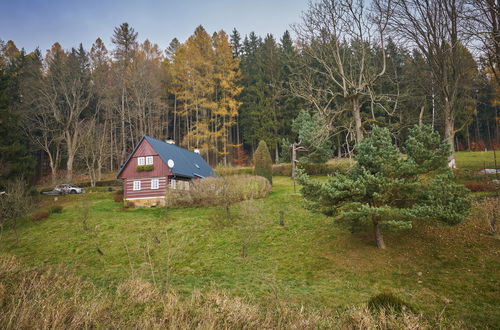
{"points": [[55, 299]]}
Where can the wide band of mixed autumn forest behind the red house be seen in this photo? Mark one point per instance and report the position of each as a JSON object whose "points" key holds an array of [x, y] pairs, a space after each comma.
{"points": [[351, 65]]}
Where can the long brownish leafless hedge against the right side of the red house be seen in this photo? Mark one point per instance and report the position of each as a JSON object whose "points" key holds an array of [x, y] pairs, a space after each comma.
{"points": [[220, 191]]}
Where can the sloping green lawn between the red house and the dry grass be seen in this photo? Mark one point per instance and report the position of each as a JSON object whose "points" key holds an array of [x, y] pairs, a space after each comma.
{"points": [[312, 261]]}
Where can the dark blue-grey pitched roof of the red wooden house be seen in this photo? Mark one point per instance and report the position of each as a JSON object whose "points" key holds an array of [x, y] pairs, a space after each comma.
{"points": [[186, 163]]}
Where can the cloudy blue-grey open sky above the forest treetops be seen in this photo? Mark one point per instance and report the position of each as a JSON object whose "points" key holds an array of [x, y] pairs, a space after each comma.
{"points": [[40, 23]]}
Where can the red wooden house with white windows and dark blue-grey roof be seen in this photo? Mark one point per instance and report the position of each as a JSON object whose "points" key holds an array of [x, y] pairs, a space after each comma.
{"points": [[154, 165]]}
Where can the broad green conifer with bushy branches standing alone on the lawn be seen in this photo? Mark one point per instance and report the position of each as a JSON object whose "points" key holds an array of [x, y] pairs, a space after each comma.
{"points": [[389, 190]]}
